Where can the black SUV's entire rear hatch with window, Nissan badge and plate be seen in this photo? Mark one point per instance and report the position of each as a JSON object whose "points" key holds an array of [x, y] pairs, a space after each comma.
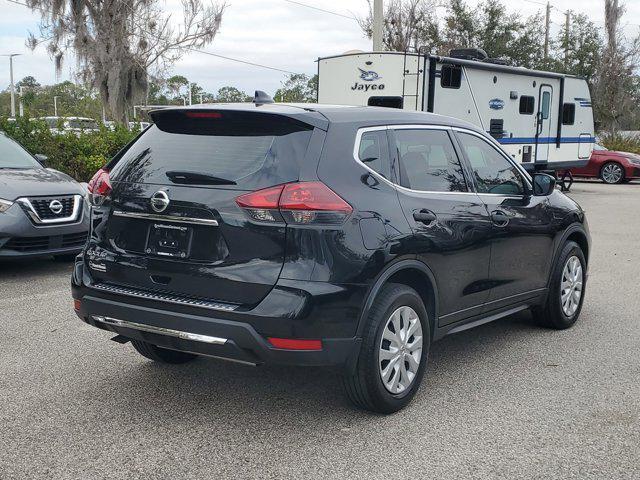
{"points": [[171, 223]]}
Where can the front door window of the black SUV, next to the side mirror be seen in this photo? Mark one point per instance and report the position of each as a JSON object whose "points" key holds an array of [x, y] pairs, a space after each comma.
{"points": [[492, 172]]}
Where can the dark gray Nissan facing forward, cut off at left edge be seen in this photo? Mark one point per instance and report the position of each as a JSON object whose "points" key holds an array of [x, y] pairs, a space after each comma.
{"points": [[42, 211]]}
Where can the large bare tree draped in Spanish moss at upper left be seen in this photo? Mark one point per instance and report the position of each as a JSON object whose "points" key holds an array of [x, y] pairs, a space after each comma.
{"points": [[116, 43]]}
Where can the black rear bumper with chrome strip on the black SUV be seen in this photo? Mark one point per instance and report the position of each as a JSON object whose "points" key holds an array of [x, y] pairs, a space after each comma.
{"points": [[235, 335]]}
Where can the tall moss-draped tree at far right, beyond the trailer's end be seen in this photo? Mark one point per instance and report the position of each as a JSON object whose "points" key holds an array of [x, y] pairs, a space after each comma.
{"points": [[615, 79]]}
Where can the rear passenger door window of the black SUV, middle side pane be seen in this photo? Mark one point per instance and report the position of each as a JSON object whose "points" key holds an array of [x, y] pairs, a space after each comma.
{"points": [[428, 161]]}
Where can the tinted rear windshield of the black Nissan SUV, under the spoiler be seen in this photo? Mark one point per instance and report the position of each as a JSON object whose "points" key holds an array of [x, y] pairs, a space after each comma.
{"points": [[252, 150]]}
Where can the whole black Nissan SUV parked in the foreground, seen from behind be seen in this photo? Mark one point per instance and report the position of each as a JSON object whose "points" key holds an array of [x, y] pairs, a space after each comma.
{"points": [[322, 235]]}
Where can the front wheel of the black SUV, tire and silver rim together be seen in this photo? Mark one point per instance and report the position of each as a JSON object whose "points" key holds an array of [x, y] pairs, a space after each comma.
{"points": [[562, 309]]}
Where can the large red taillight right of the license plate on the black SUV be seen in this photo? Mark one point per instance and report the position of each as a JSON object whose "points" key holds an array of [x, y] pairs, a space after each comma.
{"points": [[296, 203]]}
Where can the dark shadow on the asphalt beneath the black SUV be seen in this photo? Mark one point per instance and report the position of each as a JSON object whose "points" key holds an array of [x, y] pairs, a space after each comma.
{"points": [[210, 390]]}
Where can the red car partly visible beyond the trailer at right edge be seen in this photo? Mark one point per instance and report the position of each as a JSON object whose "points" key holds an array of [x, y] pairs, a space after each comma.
{"points": [[610, 166]]}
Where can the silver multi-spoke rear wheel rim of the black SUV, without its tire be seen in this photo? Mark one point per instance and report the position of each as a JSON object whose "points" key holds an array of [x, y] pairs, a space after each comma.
{"points": [[400, 350]]}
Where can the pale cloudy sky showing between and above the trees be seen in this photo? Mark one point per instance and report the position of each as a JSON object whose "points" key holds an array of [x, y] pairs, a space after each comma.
{"points": [[277, 33]]}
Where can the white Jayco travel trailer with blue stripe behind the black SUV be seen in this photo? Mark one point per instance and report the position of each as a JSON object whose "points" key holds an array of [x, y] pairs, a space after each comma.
{"points": [[543, 119]]}
